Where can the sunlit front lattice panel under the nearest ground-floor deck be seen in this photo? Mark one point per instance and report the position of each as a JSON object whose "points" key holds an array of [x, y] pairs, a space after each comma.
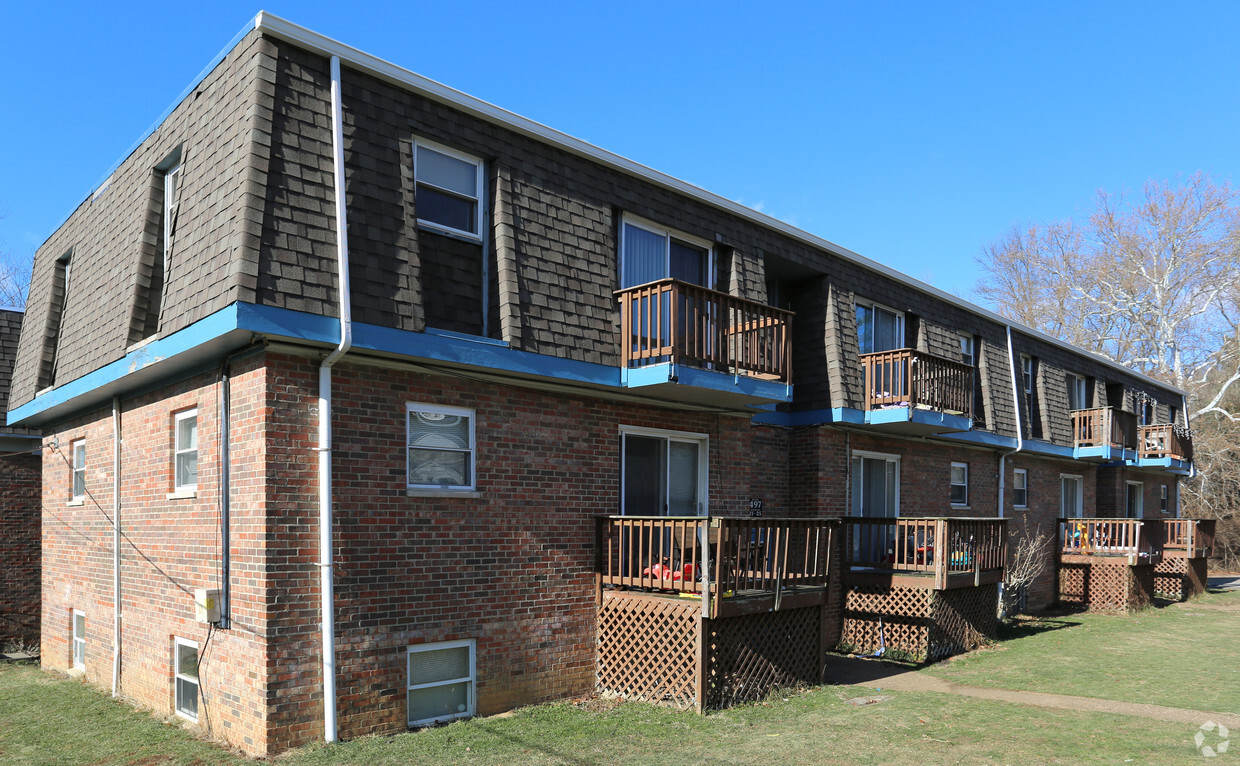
{"points": [[648, 650]]}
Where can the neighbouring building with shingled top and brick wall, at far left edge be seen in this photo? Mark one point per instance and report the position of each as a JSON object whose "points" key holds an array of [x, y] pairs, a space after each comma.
{"points": [[20, 509]]}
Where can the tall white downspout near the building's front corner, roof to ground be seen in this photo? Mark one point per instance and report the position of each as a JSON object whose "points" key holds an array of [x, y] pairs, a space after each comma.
{"points": [[347, 339]]}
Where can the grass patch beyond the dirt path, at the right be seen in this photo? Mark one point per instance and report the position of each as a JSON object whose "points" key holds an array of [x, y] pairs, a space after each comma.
{"points": [[1184, 656]]}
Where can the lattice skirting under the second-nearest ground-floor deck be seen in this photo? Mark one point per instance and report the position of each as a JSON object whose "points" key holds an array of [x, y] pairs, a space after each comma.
{"points": [[919, 623]]}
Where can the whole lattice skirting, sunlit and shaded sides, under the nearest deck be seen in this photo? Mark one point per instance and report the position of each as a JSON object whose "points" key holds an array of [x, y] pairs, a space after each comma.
{"points": [[648, 650]]}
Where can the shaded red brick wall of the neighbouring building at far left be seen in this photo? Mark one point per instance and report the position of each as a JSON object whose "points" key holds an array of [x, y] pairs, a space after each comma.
{"points": [[20, 537]]}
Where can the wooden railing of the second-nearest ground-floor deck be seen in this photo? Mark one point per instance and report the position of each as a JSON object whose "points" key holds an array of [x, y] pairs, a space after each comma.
{"points": [[939, 547]]}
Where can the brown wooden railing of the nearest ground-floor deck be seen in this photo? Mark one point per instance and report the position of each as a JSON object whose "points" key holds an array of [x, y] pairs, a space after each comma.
{"points": [[722, 556]]}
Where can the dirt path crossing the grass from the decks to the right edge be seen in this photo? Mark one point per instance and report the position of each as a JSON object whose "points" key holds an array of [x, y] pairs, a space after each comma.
{"points": [[883, 676]]}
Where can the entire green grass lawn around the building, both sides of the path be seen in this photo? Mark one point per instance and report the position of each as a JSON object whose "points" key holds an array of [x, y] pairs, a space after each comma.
{"points": [[50, 720]]}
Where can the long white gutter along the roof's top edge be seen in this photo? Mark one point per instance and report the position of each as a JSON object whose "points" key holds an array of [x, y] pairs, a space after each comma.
{"points": [[386, 71]]}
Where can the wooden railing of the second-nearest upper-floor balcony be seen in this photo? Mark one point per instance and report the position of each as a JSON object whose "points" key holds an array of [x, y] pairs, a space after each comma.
{"points": [[911, 379]]}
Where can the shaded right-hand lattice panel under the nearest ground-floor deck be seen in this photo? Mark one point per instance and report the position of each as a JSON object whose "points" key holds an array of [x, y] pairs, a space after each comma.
{"points": [[750, 656]]}
